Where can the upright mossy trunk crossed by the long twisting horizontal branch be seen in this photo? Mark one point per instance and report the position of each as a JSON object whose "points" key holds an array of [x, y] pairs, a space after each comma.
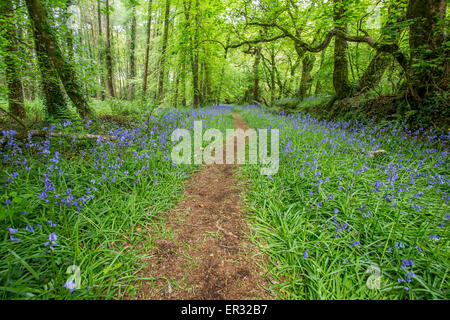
{"points": [[340, 73]]}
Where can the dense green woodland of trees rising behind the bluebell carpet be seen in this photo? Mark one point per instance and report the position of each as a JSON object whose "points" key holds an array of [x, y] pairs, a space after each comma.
{"points": [[193, 53]]}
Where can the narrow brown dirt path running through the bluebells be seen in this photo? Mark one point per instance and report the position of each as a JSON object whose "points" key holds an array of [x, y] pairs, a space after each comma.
{"points": [[206, 253]]}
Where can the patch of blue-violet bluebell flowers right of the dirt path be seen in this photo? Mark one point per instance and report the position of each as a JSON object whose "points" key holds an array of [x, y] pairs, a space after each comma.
{"points": [[326, 164]]}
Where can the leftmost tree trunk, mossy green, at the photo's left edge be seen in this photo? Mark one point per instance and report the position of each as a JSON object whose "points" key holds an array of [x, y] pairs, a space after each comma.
{"points": [[13, 63]]}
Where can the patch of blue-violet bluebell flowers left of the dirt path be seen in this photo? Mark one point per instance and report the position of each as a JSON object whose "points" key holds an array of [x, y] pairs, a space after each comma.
{"points": [[117, 154]]}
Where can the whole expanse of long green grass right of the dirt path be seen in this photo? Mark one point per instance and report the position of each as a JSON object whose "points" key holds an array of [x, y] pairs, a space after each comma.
{"points": [[327, 181]]}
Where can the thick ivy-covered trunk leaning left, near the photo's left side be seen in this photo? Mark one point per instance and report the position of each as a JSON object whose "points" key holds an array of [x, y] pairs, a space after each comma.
{"points": [[53, 60]]}
